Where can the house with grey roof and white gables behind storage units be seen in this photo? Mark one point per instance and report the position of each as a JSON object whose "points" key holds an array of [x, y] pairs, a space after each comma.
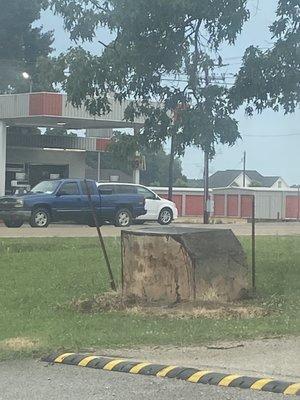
{"points": [[235, 178]]}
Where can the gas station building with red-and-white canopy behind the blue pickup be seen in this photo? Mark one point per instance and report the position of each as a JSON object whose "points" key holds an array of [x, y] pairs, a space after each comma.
{"points": [[27, 159]]}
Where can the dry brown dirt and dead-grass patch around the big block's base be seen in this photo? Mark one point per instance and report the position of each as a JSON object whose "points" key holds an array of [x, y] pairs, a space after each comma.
{"points": [[112, 301]]}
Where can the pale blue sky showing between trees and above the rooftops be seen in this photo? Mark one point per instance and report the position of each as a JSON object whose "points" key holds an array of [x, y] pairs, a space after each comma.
{"points": [[271, 140]]}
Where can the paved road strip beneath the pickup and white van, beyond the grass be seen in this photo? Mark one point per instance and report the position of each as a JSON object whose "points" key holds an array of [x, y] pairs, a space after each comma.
{"points": [[55, 230]]}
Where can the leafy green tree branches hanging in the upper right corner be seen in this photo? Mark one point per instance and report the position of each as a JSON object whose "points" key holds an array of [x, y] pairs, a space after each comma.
{"points": [[270, 79]]}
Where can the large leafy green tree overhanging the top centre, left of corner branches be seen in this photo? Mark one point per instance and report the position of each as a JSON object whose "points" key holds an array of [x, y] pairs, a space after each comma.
{"points": [[153, 42]]}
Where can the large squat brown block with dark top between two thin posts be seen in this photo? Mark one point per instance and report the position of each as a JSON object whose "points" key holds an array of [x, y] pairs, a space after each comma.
{"points": [[174, 264]]}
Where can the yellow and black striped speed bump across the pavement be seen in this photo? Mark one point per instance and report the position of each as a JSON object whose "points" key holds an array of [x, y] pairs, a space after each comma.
{"points": [[169, 371]]}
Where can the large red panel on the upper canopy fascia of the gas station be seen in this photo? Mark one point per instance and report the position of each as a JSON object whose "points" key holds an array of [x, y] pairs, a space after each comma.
{"points": [[45, 104]]}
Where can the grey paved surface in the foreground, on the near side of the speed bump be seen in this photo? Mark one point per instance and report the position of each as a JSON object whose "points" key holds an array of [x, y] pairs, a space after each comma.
{"points": [[33, 380]]}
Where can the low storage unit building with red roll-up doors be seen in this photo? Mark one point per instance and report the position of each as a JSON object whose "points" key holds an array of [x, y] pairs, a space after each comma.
{"points": [[236, 203]]}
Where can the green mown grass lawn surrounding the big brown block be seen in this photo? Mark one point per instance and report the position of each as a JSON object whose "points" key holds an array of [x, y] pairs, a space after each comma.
{"points": [[38, 275]]}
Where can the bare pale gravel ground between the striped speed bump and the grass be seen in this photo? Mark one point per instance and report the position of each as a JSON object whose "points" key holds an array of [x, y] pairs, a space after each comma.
{"points": [[278, 357]]}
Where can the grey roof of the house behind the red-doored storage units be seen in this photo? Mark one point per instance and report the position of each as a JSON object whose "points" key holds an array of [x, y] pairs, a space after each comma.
{"points": [[226, 178]]}
